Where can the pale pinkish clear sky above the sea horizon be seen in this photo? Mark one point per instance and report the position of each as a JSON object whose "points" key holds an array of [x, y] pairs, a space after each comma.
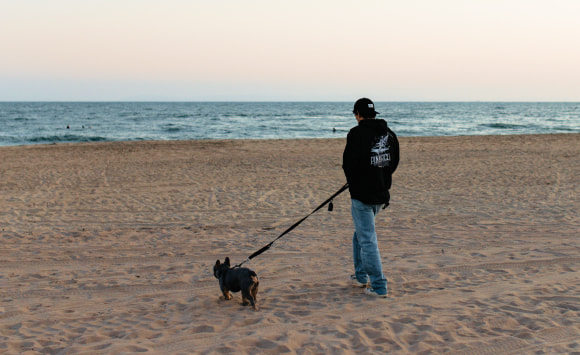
{"points": [[295, 50]]}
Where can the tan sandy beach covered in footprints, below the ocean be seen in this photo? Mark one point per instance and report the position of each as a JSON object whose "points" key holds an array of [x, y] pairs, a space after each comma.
{"points": [[108, 248]]}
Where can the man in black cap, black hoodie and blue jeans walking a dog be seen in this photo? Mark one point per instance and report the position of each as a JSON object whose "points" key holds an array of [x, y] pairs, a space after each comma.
{"points": [[370, 157]]}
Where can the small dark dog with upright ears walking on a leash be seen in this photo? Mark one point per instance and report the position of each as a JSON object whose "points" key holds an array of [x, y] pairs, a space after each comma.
{"points": [[237, 279]]}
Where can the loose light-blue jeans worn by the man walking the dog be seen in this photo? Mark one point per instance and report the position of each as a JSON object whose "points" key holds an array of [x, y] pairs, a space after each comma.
{"points": [[365, 247]]}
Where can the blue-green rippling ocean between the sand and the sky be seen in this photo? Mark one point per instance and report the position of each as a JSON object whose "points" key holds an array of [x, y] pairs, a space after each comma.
{"points": [[24, 123]]}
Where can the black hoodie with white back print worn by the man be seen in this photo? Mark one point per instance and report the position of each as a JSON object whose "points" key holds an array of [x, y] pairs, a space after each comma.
{"points": [[370, 157]]}
